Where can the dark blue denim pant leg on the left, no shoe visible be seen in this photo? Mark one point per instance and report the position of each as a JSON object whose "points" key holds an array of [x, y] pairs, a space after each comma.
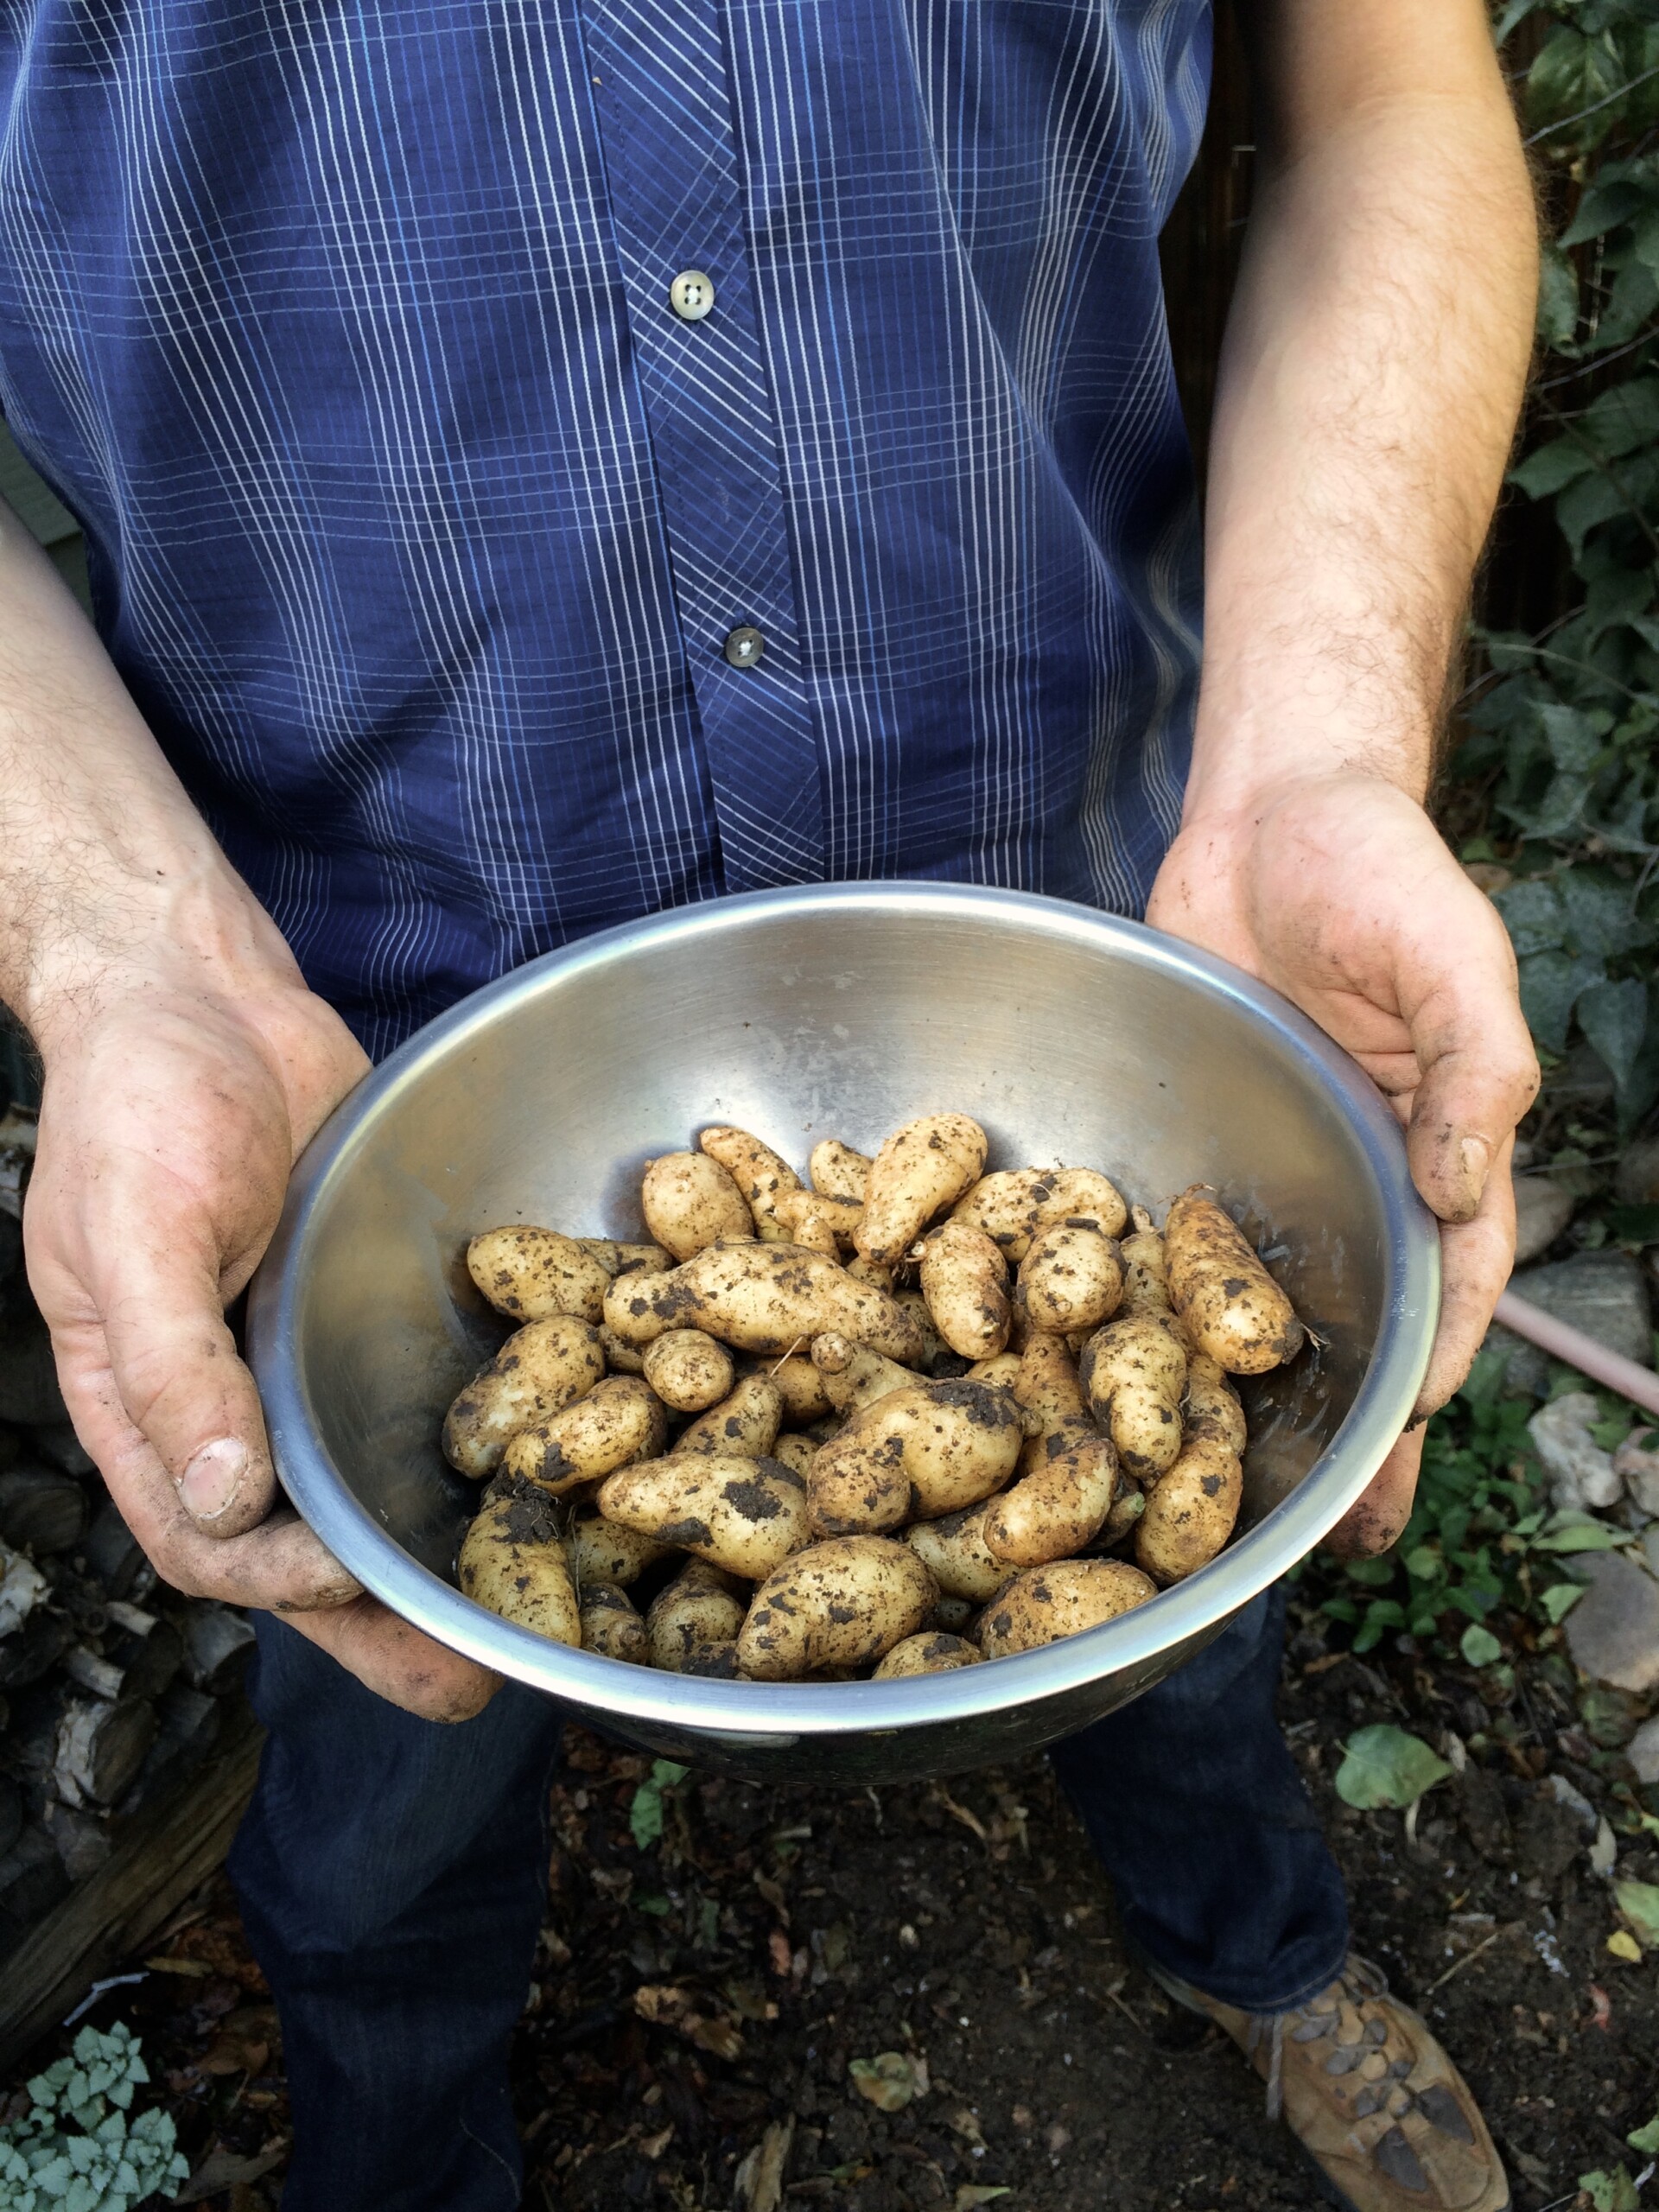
{"points": [[393, 1879]]}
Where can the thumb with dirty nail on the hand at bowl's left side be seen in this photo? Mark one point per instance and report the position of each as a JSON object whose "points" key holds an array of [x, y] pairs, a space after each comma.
{"points": [[182, 1384]]}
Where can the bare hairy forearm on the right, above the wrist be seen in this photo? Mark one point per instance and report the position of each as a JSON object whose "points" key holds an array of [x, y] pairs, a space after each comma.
{"points": [[1370, 382]]}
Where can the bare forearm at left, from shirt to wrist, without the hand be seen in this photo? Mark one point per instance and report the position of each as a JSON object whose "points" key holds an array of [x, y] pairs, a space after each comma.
{"points": [[109, 879]]}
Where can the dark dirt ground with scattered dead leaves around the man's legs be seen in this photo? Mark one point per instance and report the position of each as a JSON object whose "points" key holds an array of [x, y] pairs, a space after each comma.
{"points": [[698, 2003]]}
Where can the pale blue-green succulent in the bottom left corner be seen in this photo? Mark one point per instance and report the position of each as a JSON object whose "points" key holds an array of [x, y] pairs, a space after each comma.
{"points": [[105, 2162]]}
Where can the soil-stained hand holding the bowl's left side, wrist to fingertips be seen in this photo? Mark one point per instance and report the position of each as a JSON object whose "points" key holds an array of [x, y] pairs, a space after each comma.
{"points": [[169, 1123]]}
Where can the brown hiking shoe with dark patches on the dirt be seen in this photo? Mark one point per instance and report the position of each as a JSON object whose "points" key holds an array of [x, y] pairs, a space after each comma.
{"points": [[1370, 2096]]}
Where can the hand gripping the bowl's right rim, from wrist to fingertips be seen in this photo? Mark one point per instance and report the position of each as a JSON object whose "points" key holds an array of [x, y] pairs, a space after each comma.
{"points": [[1342, 895]]}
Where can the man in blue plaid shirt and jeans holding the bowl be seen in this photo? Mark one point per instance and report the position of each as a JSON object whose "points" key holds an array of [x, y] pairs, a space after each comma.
{"points": [[554, 461]]}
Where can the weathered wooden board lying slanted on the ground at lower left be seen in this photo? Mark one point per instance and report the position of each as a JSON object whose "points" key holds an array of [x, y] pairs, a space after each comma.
{"points": [[165, 1853]]}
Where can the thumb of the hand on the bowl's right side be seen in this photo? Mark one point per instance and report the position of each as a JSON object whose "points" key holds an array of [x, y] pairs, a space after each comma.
{"points": [[1477, 1056]]}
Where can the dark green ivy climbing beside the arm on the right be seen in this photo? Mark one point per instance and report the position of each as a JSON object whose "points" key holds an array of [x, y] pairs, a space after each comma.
{"points": [[1561, 733]]}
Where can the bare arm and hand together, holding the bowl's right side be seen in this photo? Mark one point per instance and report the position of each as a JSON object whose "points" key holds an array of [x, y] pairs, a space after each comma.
{"points": [[1370, 382]]}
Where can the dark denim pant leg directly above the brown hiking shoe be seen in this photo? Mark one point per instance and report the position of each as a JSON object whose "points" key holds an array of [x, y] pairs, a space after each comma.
{"points": [[1202, 1822]]}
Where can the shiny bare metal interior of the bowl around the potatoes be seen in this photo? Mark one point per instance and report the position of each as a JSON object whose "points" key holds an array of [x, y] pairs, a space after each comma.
{"points": [[1072, 1039]]}
